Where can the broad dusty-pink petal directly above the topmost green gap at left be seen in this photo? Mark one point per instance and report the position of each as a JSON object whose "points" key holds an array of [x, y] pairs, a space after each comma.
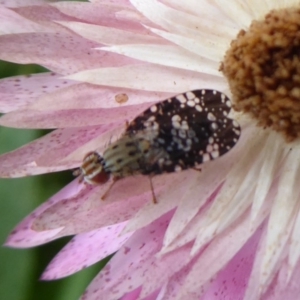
{"points": [[61, 52]]}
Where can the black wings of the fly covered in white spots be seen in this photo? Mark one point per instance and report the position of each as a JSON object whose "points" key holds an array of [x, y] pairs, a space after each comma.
{"points": [[185, 131]]}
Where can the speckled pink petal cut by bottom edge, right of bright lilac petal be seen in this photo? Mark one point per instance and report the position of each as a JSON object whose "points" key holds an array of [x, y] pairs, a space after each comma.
{"points": [[127, 269]]}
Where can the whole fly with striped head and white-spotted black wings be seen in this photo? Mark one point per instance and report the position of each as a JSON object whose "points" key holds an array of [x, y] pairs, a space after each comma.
{"points": [[172, 135]]}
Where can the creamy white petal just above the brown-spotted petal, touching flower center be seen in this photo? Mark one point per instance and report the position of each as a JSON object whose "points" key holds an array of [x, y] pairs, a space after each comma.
{"points": [[150, 78]]}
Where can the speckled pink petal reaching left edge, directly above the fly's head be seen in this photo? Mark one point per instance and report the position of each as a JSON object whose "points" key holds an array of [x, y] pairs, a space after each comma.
{"points": [[50, 152]]}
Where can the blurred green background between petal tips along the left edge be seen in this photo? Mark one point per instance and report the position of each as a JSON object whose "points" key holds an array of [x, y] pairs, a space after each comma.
{"points": [[20, 269]]}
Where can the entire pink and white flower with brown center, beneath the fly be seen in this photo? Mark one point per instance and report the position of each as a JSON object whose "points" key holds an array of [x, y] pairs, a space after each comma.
{"points": [[228, 232]]}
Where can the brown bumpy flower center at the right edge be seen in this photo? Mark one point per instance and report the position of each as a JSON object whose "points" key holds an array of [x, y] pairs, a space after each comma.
{"points": [[263, 70]]}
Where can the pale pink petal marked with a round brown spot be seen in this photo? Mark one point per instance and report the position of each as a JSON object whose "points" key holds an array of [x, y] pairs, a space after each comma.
{"points": [[75, 96]]}
